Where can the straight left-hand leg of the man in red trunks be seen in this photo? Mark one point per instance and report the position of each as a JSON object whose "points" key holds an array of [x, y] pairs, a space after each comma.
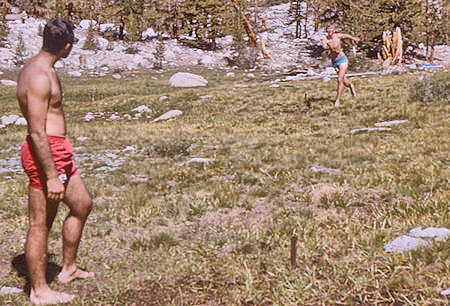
{"points": [[41, 214]]}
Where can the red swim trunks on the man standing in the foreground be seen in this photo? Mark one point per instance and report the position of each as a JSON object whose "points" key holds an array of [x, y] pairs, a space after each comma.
{"points": [[62, 153]]}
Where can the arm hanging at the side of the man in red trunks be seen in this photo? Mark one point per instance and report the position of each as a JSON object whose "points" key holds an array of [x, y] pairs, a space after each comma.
{"points": [[38, 95]]}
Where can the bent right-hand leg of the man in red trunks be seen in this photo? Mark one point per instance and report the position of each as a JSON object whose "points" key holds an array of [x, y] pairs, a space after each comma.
{"points": [[79, 201]]}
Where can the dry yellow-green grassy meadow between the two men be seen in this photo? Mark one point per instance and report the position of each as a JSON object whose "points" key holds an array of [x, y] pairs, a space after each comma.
{"points": [[167, 232]]}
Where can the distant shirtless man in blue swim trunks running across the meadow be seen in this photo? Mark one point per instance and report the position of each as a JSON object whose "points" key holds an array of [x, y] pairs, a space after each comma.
{"points": [[340, 61]]}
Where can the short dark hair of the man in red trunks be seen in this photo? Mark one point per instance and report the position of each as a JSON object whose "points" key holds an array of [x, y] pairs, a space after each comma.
{"points": [[57, 33]]}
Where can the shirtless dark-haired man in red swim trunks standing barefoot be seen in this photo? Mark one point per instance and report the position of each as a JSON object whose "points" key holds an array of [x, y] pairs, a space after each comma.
{"points": [[47, 158]]}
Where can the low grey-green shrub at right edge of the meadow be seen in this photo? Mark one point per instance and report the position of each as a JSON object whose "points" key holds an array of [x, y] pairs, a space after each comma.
{"points": [[430, 89]]}
